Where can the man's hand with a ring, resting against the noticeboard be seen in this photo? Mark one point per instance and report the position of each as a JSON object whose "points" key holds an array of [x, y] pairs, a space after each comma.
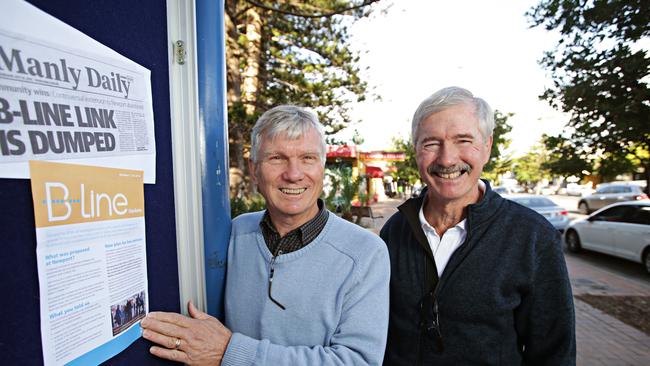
{"points": [[199, 340]]}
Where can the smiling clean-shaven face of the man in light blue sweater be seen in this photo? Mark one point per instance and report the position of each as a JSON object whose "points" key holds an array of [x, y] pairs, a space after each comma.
{"points": [[289, 174]]}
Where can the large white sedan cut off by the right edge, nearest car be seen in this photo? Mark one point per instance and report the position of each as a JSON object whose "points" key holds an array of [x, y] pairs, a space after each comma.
{"points": [[621, 229]]}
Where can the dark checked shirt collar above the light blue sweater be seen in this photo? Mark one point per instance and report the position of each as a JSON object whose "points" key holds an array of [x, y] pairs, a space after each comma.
{"points": [[297, 238]]}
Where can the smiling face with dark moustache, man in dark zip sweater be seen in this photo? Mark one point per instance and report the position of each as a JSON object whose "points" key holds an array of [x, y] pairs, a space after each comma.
{"points": [[451, 153]]}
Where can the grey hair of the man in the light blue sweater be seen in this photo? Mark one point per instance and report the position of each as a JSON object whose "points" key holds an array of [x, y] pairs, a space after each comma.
{"points": [[290, 120]]}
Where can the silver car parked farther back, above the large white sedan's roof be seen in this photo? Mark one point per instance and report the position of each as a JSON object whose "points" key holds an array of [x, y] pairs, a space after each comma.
{"points": [[609, 193]]}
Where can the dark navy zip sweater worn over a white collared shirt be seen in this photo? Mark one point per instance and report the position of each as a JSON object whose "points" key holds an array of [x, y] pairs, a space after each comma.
{"points": [[504, 298]]}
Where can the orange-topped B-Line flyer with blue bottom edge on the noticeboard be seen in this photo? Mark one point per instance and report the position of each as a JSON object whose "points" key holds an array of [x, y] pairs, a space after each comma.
{"points": [[91, 259]]}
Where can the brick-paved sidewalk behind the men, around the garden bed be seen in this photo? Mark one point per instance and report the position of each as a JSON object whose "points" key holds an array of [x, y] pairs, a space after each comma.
{"points": [[602, 340]]}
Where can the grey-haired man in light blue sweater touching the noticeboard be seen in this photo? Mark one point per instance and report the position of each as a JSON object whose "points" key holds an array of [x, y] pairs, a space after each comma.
{"points": [[303, 287]]}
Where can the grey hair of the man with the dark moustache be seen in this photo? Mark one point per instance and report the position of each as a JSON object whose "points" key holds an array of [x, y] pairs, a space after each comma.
{"points": [[449, 97]]}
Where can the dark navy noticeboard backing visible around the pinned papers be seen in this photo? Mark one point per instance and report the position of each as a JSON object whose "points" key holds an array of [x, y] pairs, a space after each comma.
{"points": [[138, 31]]}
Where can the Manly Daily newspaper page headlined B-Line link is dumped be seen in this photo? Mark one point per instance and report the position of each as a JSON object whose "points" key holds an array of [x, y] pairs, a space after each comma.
{"points": [[62, 104]]}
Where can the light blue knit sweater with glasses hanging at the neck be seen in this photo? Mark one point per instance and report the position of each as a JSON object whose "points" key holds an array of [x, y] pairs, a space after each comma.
{"points": [[335, 291]]}
